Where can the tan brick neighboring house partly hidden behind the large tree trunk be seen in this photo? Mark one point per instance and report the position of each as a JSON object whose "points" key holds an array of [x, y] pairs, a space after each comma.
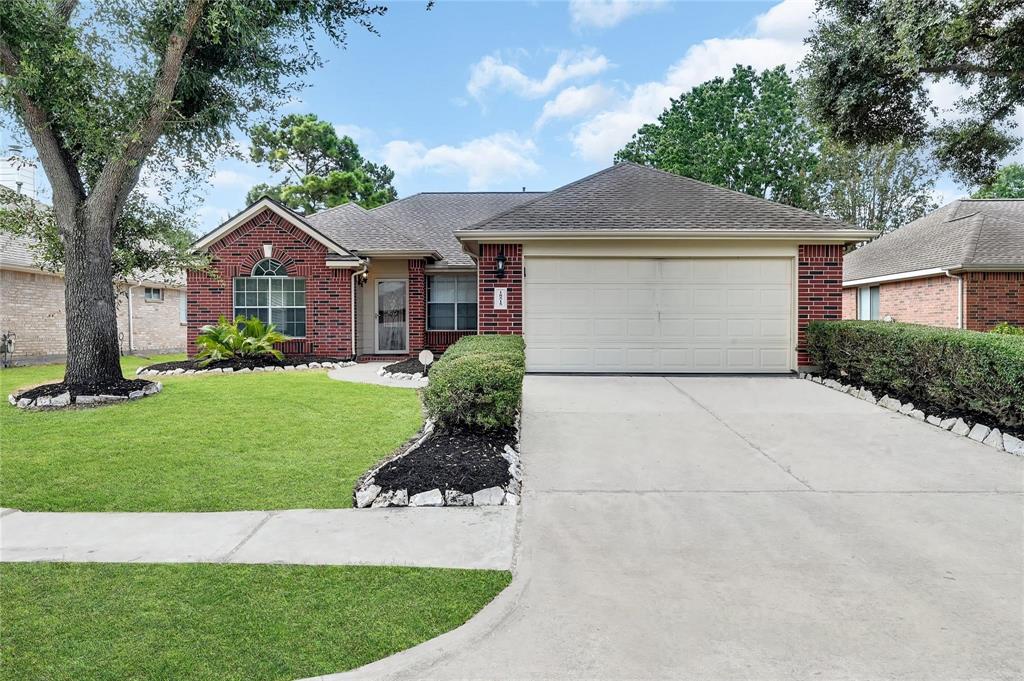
{"points": [[151, 313]]}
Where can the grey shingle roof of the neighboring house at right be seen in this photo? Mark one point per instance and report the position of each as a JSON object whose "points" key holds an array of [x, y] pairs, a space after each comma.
{"points": [[978, 234]]}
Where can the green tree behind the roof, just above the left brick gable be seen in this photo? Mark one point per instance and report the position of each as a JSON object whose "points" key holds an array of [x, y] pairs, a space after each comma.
{"points": [[325, 171]]}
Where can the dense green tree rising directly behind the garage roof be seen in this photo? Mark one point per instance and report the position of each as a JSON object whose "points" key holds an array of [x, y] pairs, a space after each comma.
{"points": [[745, 134]]}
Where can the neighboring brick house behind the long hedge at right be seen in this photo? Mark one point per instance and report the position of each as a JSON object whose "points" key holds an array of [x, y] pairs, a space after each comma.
{"points": [[961, 267]]}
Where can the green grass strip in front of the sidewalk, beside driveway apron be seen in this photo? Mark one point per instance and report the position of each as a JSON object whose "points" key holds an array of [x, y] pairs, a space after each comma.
{"points": [[96, 622]]}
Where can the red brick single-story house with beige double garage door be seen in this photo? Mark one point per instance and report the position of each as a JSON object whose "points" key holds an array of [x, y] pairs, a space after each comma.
{"points": [[630, 270]]}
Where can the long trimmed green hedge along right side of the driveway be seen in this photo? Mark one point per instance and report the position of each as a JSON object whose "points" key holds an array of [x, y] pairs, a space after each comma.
{"points": [[957, 372]]}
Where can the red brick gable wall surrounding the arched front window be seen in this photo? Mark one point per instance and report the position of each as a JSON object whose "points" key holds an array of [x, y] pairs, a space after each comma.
{"points": [[329, 295]]}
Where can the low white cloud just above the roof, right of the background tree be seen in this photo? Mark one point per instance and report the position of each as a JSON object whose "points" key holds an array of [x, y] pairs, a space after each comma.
{"points": [[487, 162]]}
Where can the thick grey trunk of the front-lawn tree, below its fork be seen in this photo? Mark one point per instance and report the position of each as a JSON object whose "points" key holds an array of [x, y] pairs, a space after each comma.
{"points": [[94, 354]]}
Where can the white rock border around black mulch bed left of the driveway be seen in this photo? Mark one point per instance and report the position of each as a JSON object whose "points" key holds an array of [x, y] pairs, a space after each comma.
{"points": [[368, 494]]}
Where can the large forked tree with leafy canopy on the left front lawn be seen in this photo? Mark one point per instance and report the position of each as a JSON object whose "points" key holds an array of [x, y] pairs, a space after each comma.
{"points": [[111, 90]]}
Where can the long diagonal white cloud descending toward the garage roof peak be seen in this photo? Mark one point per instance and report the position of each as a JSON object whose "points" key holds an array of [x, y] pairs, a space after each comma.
{"points": [[778, 38]]}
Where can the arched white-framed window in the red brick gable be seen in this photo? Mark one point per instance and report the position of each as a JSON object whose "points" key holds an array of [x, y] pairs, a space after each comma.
{"points": [[273, 297]]}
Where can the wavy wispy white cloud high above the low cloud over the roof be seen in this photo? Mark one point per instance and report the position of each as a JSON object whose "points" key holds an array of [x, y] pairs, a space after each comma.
{"points": [[493, 73]]}
